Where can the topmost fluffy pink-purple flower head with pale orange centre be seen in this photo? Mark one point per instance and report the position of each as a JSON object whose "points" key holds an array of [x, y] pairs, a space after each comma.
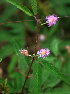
{"points": [[51, 20]]}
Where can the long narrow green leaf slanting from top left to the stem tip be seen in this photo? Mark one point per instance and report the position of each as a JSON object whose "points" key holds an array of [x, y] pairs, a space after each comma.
{"points": [[20, 6]]}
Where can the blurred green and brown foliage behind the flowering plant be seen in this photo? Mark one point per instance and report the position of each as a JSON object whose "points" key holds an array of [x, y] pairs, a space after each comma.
{"points": [[55, 38]]}
